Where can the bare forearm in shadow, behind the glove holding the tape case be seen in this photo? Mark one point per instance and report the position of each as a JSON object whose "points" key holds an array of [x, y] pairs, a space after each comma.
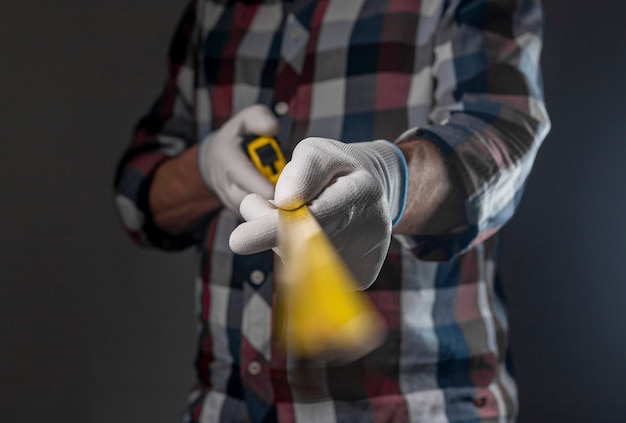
{"points": [[179, 199]]}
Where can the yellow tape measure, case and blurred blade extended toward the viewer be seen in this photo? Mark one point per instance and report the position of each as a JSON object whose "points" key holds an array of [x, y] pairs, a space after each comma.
{"points": [[319, 312]]}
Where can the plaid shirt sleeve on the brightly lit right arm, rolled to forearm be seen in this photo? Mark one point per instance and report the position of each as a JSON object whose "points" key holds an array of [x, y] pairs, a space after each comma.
{"points": [[489, 118]]}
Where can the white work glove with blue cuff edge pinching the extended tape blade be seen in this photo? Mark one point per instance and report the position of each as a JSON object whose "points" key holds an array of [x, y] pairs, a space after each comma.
{"points": [[356, 192]]}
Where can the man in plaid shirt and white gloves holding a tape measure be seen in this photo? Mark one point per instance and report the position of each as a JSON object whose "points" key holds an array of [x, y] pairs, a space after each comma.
{"points": [[455, 85]]}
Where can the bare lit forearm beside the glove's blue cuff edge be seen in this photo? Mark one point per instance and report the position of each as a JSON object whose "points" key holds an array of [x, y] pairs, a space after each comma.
{"points": [[434, 202]]}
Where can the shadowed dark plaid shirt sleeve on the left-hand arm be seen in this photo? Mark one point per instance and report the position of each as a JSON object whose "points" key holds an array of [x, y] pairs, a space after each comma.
{"points": [[165, 131]]}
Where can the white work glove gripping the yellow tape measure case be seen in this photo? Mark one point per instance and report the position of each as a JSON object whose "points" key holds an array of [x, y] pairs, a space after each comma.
{"points": [[225, 167]]}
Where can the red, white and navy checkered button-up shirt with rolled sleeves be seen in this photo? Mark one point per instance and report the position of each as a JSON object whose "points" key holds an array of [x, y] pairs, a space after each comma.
{"points": [[462, 74]]}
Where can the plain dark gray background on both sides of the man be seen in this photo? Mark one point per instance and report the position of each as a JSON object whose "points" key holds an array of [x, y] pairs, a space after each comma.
{"points": [[93, 329]]}
